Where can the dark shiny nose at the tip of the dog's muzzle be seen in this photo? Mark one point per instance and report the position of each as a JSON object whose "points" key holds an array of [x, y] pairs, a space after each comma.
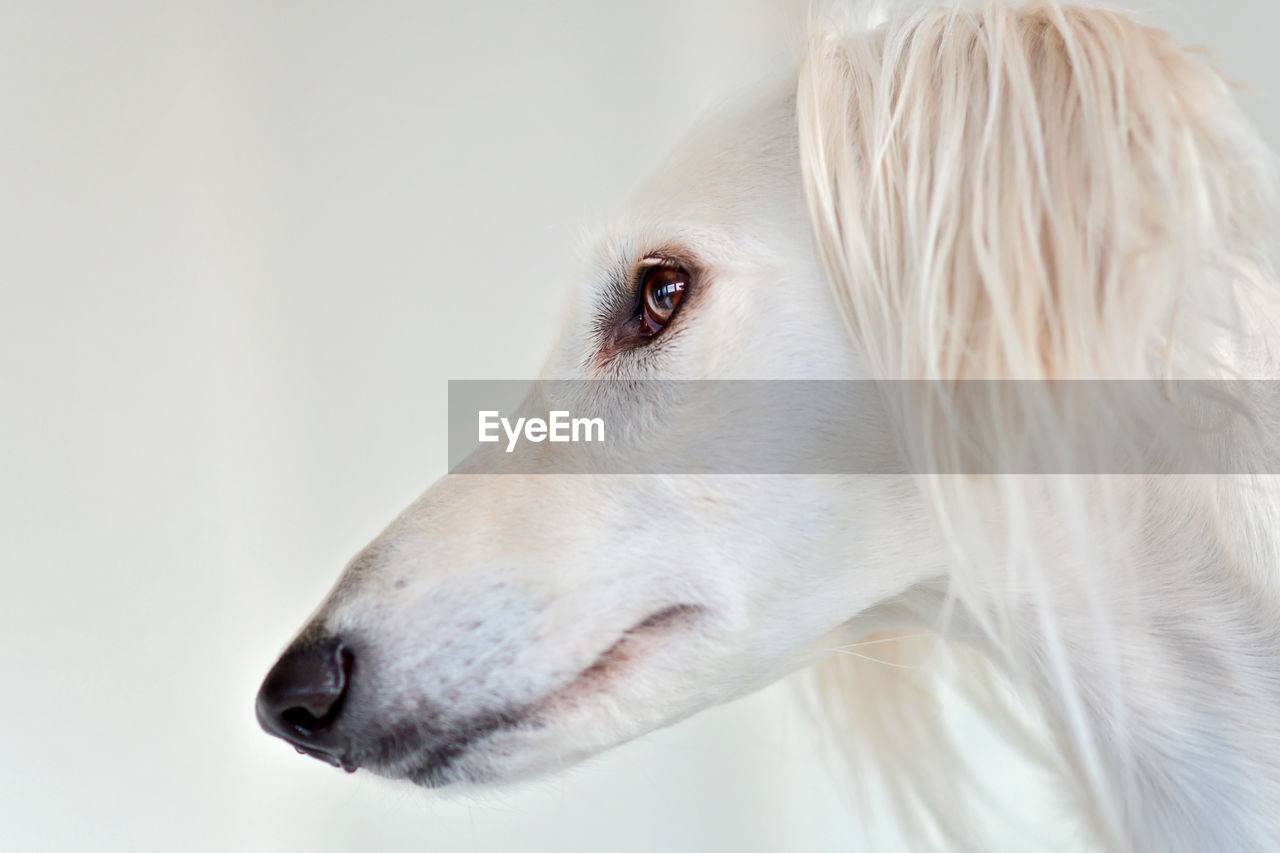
{"points": [[303, 697]]}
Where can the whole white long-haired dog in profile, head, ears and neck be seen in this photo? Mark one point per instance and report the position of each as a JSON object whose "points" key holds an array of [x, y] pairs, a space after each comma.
{"points": [[1031, 194]]}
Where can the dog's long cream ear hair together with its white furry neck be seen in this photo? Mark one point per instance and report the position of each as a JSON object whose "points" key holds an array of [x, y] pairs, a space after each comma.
{"points": [[1052, 193]]}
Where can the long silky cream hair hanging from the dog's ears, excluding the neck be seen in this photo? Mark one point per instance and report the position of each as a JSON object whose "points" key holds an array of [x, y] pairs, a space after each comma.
{"points": [[1044, 193]]}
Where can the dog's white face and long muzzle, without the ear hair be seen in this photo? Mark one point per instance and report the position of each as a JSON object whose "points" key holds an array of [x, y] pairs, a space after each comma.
{"points": [[509, 624]]}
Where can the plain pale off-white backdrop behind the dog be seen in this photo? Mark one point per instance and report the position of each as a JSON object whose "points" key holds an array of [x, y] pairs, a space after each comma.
{"points": [[243, 248]]}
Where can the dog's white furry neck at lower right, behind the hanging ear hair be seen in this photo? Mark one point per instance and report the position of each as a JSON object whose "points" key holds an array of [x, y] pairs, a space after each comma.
{"points": [[1164, 700]]}
